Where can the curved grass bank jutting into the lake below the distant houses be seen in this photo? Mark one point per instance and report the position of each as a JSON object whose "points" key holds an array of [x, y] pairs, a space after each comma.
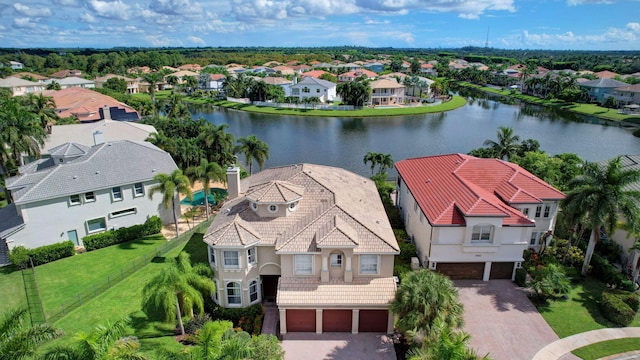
{"points": [[454, 103]]}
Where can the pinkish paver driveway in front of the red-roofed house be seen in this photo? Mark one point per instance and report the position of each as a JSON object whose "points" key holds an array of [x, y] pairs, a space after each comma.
{"points": [[502, 321]]}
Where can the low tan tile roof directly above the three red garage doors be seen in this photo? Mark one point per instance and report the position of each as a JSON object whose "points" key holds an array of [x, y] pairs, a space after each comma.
{"points": [[296, 291]]}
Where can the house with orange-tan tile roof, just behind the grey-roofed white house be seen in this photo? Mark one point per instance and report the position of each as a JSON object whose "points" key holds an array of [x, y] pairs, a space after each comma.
{"points": [[88, 105]]}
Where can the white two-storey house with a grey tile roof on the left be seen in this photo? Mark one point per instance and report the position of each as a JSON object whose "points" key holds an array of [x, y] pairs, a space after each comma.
{"points": [[82, 190]]}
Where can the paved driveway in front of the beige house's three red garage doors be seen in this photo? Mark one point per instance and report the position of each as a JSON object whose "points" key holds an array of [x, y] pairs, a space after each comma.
{"points": [[337, 346]]}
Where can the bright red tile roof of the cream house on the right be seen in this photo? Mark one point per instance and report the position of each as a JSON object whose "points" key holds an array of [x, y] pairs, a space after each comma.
{"points": [[450, 187]]}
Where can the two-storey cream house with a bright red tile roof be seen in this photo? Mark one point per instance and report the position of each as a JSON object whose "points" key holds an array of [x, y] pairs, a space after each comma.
{"points": [[472, 218]]}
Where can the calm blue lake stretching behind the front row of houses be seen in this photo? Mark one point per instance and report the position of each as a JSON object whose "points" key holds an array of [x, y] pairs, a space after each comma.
{"points": [[343, 142]]}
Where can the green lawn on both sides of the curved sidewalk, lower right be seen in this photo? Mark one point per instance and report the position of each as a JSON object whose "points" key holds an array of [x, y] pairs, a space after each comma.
{"points": [[579, 314]]}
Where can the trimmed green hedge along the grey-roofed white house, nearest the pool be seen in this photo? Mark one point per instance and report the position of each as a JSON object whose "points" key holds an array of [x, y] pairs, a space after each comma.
{"points": [[111, 237]]}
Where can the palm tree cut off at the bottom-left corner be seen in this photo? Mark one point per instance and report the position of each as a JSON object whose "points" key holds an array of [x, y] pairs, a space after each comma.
{"points": [[18, 341]]}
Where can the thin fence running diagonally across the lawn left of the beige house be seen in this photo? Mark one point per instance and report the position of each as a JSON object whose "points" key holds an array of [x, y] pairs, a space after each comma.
{"points": [[117, 276]]}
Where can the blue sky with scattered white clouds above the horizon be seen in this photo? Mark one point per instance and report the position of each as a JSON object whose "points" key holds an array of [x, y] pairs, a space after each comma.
{"points": [[503, 24]]}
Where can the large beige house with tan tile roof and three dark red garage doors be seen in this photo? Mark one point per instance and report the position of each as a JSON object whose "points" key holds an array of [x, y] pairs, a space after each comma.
{"points": [[315, 239]]}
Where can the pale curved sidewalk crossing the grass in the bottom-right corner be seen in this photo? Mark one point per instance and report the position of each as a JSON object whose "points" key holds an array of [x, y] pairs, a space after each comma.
{"points": [[558, 348]]}
